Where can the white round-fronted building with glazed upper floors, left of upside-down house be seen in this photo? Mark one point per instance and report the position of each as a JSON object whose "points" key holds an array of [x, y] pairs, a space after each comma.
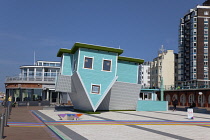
{"points": [[35, 83]]}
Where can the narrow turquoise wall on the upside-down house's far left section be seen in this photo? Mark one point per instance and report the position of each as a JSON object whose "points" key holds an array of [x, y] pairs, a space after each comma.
{"points": [[67, 64]]}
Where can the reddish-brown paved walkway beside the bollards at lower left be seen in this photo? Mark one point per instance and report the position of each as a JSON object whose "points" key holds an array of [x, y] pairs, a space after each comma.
{"points": [[23, 125]]}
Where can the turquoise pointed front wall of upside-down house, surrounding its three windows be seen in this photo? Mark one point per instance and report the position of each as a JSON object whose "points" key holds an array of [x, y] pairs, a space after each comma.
{"points": [[96, 76]]}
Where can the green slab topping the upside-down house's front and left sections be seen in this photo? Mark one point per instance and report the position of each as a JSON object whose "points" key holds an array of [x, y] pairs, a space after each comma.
{"points": [[88, 46]]}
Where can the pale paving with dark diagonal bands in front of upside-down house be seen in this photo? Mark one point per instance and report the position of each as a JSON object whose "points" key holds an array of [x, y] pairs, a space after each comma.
{"points": [[130, 125]]}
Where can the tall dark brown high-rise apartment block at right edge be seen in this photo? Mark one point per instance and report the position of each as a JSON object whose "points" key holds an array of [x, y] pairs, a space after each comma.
{"points": [[194, 52]]}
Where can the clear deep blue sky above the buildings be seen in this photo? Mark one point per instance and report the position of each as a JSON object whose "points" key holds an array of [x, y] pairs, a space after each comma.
{"points": [[139, 27]]}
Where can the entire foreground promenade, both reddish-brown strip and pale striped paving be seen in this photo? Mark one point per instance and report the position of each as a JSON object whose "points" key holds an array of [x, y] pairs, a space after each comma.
{"points": [[120, 125]]}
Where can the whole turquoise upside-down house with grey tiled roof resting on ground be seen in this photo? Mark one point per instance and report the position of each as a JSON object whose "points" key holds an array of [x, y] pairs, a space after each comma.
{"points": [[98, 78]]}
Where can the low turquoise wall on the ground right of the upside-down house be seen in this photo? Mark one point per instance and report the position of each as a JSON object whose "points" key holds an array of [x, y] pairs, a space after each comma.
{"points": [[144, 105]]}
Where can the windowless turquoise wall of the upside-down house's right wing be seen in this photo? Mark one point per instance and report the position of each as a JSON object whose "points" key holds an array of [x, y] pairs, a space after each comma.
{"points": [[127, 72]]}
